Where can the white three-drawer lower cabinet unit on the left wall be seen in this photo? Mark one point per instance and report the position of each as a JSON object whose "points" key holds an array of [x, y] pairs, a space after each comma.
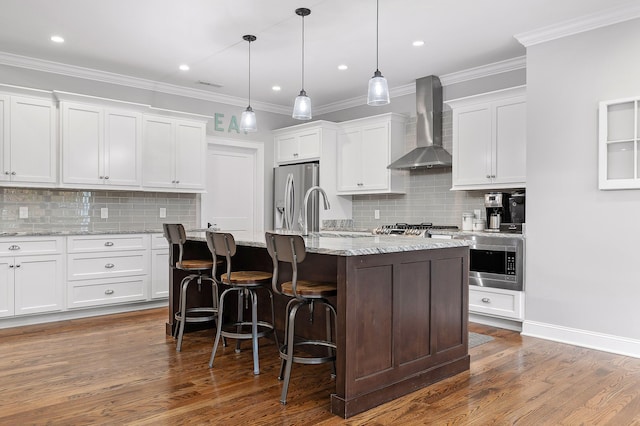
{"points": [[107, 269]]}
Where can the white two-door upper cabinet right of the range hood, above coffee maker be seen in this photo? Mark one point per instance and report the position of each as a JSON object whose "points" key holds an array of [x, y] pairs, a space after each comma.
{"points": [[489, 140]]}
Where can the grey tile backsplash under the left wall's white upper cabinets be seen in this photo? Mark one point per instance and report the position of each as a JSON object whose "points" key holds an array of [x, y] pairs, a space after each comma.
{"points": [[77, 210]]}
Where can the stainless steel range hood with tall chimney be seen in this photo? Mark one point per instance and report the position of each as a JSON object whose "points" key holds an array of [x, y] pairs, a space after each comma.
{"points": [[429, 153]]}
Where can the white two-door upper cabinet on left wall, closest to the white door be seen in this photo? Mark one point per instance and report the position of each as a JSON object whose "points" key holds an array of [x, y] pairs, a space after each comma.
{"points": [[174, 154]]}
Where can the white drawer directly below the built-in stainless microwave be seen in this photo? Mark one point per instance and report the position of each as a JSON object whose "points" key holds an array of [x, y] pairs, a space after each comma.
{"points": [[496, 302]]}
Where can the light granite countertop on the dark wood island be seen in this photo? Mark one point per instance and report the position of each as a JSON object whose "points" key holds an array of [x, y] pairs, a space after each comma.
{"points": [[354, 243]]}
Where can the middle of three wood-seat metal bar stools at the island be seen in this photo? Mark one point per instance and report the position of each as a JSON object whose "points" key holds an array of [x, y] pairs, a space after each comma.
{"points": [[245, 284]]}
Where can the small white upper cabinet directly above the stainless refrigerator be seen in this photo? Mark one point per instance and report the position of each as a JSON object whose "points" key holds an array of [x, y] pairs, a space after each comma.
{"points": [[298, 144]]}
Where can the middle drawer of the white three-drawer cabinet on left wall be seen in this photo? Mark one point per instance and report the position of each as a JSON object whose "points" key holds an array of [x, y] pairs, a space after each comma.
{"points": [[83, 266]]}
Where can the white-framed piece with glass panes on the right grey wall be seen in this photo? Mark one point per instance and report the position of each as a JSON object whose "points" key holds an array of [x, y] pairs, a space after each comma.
{"points": [[619, 144]]}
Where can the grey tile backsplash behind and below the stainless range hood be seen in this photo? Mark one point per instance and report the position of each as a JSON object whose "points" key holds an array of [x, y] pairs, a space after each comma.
{"points": [[428, 195]]}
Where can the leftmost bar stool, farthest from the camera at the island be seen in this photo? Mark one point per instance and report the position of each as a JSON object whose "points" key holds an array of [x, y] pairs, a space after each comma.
{"points": [[200, 271]]}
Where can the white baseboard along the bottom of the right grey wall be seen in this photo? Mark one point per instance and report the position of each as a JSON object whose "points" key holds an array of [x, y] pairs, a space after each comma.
{"points": [[588, 339]]}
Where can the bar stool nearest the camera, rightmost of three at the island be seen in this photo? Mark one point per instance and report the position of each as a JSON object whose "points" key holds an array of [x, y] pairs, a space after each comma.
{"points": [[291, 249]]}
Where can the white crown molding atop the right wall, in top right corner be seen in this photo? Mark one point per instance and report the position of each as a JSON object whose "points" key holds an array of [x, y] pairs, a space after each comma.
{"points": [[615, 15]]}
